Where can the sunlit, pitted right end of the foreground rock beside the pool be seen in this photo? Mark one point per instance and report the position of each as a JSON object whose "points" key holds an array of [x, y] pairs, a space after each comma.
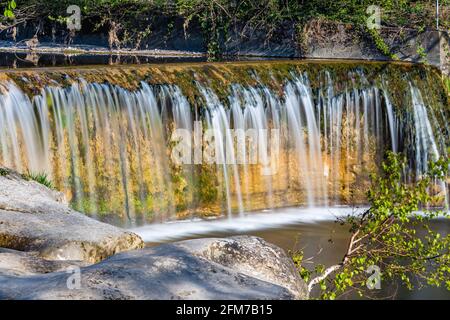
{"points": [[252, 256]]}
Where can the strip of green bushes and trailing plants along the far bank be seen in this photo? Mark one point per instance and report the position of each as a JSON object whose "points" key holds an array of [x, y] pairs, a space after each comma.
{"points": [[130, 22]]}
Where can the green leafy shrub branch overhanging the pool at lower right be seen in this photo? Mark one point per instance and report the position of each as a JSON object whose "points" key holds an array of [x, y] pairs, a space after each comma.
{"points": [[392, 235]]}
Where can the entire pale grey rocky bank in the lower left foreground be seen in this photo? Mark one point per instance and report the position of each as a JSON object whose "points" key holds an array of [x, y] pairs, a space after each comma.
{"points": [[49, 251]]}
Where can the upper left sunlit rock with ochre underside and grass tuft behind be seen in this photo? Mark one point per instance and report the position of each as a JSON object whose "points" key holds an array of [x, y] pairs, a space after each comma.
{"points": [[35, 218]]}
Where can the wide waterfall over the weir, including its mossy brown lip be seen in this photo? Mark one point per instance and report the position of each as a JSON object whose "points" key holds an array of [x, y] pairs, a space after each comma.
{"points": [[285, 134]]}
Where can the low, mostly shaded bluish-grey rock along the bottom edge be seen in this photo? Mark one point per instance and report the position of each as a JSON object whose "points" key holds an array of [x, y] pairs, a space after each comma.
{"points": [[183, 270]]}
